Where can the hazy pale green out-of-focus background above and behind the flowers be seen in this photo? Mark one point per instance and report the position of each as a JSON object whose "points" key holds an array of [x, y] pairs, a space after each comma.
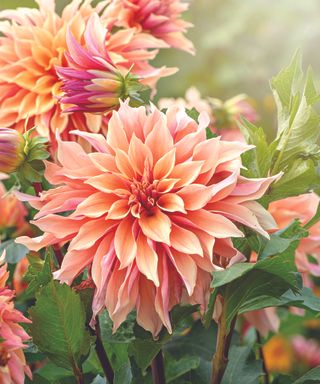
{"points": [[240, 46]]}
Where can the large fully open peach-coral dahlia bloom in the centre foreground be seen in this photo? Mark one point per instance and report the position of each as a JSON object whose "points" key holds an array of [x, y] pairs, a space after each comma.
{"points": [[150, 213]]}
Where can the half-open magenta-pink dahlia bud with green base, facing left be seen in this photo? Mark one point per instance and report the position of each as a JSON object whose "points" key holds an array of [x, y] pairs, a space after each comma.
{"points": [[92, 82]]}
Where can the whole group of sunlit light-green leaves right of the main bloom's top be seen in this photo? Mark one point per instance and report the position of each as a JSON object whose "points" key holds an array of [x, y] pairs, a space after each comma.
{"points": [[294, 150]]}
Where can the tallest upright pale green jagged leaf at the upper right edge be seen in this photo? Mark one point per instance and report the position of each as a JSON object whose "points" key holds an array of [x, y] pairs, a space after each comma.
{"points": [[298, 122]]}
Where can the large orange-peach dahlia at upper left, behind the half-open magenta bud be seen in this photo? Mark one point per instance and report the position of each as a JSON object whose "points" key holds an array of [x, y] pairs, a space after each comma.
{"points": [[33, 42]]}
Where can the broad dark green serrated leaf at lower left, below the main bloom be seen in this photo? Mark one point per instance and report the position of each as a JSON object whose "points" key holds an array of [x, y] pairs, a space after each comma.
{"points": [[58, 325]]}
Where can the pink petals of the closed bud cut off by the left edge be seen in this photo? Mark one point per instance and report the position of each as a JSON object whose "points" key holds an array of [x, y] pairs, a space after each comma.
{"points": [[11, 150]]}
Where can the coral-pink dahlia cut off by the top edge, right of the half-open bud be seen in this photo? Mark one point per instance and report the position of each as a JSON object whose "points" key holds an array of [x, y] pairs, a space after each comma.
{"points": [[160, 18]]}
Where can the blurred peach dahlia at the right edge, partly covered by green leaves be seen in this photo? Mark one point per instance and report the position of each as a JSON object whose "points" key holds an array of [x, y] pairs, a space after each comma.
{"points": [[301, 207]]}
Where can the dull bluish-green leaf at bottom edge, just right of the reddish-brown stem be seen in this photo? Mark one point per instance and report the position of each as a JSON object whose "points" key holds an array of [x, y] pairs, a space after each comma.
{"points": [[242, 367]]}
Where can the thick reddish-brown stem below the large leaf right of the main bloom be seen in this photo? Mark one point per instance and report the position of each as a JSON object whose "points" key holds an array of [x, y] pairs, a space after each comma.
{"points": [[220, 358]]}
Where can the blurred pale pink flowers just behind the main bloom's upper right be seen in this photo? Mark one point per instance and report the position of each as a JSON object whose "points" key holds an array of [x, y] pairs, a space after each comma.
{"points": [[224, 115]]}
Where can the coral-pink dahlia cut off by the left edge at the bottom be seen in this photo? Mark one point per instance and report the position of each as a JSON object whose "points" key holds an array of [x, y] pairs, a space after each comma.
{"points": [[13, 367]]}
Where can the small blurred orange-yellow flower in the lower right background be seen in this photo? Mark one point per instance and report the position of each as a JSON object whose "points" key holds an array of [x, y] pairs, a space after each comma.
{"points": [[278, 355]]}
